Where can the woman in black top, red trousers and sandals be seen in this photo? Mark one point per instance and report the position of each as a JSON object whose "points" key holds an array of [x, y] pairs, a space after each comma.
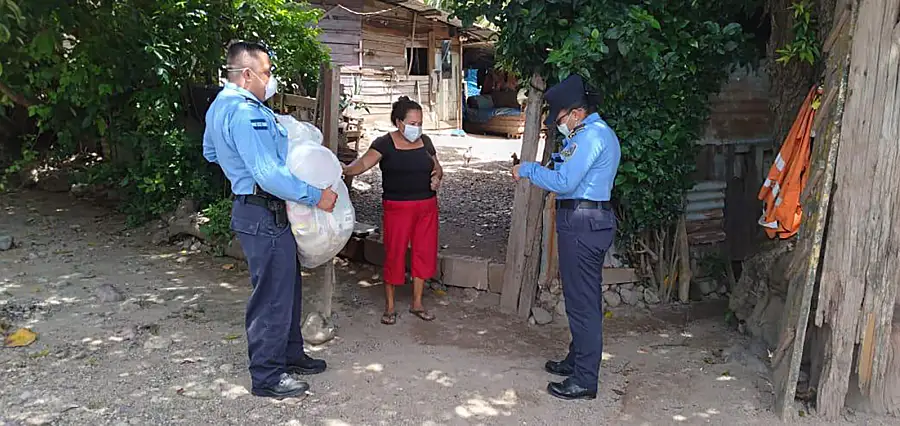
{"points": [[411, 176]]}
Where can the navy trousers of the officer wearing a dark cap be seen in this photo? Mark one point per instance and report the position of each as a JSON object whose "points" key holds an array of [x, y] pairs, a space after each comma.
{"points": [[585, 235]]}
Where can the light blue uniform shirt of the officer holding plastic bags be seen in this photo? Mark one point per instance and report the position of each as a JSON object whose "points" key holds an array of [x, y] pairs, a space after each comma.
{"points": [[243, 138]]}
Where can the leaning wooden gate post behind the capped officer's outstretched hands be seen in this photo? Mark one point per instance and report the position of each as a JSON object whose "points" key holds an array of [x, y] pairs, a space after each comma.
{"points": [[523, 255]]}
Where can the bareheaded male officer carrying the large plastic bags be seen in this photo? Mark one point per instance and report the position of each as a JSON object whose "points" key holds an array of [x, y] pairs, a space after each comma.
{"points": [[243, 138]]}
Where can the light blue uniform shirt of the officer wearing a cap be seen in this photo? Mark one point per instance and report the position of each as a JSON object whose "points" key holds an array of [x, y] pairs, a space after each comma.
{"points": [[588, 165]]}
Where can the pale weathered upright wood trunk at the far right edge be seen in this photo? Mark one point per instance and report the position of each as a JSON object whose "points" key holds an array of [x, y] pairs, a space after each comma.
{"points": [[862, 255]]}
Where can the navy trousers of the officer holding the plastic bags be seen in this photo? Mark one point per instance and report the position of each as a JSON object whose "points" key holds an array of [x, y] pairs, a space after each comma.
{"points": [[273, 311]]}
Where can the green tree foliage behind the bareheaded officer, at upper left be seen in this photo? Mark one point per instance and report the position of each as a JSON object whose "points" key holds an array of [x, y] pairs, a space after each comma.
{"points": [[114, 76]]}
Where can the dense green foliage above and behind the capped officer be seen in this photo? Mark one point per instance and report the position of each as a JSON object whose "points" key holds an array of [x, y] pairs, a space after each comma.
{"points": [[655, 63]]}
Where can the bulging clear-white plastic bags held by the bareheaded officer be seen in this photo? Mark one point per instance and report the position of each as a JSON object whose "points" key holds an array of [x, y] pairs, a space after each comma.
{"points": [[320, 235]]}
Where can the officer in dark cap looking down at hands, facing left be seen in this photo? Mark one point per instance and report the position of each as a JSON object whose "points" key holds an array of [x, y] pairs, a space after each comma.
{"points": [[582, 178]]}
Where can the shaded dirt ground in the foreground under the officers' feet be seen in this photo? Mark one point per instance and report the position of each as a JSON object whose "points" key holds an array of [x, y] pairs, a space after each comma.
{"points": [[130, 333]]}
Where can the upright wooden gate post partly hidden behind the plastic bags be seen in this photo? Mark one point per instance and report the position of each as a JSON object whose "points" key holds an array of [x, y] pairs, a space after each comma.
{"points": [[317, 296]]}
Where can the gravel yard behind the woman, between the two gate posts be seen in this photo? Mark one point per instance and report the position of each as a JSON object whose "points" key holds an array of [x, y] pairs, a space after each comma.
{"points": [[475, 199]]}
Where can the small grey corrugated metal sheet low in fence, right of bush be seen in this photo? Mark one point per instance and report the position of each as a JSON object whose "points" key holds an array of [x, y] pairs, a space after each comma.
{"points": [[705, 212]]}
